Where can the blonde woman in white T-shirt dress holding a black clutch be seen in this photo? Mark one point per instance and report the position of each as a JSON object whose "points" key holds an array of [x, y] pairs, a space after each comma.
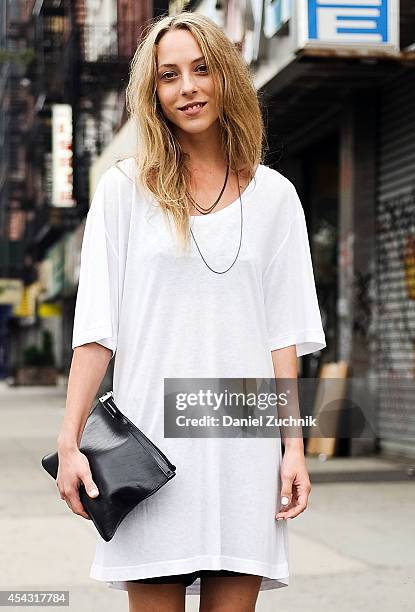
{"points": [[236, 300]]}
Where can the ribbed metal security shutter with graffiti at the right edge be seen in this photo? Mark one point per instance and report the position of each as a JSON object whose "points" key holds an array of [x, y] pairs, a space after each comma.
{"points": [[395, 275]]}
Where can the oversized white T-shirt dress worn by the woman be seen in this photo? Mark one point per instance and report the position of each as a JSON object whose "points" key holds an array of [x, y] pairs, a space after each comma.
{"points": [[164, 314]]}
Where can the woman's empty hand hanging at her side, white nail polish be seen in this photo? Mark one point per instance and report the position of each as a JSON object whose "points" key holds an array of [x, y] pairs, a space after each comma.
{"points": [[295, 483]]}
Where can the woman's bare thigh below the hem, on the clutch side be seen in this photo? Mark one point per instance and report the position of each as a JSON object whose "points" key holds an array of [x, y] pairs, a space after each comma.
{"points": [[156, 597]]}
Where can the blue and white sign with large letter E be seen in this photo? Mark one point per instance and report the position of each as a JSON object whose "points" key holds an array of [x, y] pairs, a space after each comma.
{"points": [[354, 21]]}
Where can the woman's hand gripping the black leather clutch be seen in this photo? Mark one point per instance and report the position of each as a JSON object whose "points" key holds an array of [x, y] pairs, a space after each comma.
{"points": [[72, 470]]}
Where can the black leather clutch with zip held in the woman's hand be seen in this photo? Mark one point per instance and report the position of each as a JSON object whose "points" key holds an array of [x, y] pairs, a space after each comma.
{"points": [[125, 465]]}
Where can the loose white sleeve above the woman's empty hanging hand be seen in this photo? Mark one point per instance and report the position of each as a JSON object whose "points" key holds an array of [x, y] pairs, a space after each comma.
{"points": [[291, 306]]}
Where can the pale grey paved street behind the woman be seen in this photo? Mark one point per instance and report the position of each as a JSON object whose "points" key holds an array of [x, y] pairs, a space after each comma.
{"points": [[352, 550]]}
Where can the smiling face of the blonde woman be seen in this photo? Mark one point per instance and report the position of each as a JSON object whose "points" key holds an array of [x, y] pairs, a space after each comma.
{"points": [[184, 80]]}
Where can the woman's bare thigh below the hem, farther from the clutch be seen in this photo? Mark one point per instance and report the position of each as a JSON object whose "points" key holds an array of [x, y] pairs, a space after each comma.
{"points": [[229, 592]]}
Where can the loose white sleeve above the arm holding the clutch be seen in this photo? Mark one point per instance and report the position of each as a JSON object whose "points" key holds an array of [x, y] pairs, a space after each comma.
{"points": [[96, 308]]}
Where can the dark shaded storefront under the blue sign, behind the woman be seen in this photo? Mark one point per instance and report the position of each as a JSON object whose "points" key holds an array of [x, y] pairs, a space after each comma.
{"points": [[335, 124]]}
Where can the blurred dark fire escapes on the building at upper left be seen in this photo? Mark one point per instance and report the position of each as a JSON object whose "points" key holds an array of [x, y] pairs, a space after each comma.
{"points": [[81, 59]]}
